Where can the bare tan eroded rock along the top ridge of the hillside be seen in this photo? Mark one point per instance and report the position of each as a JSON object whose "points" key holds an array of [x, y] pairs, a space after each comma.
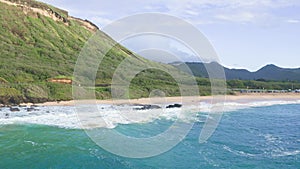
{"points": [[34, 8]]}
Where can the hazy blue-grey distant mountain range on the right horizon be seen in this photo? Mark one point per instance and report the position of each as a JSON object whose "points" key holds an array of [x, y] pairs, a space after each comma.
{"points": [[268, 72]]}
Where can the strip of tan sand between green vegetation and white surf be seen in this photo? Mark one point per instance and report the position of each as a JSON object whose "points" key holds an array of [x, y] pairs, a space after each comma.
{"points": [[189, 100]]}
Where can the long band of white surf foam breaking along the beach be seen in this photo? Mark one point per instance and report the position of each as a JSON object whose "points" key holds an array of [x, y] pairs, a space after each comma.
{"points": [[110, 116]]}
